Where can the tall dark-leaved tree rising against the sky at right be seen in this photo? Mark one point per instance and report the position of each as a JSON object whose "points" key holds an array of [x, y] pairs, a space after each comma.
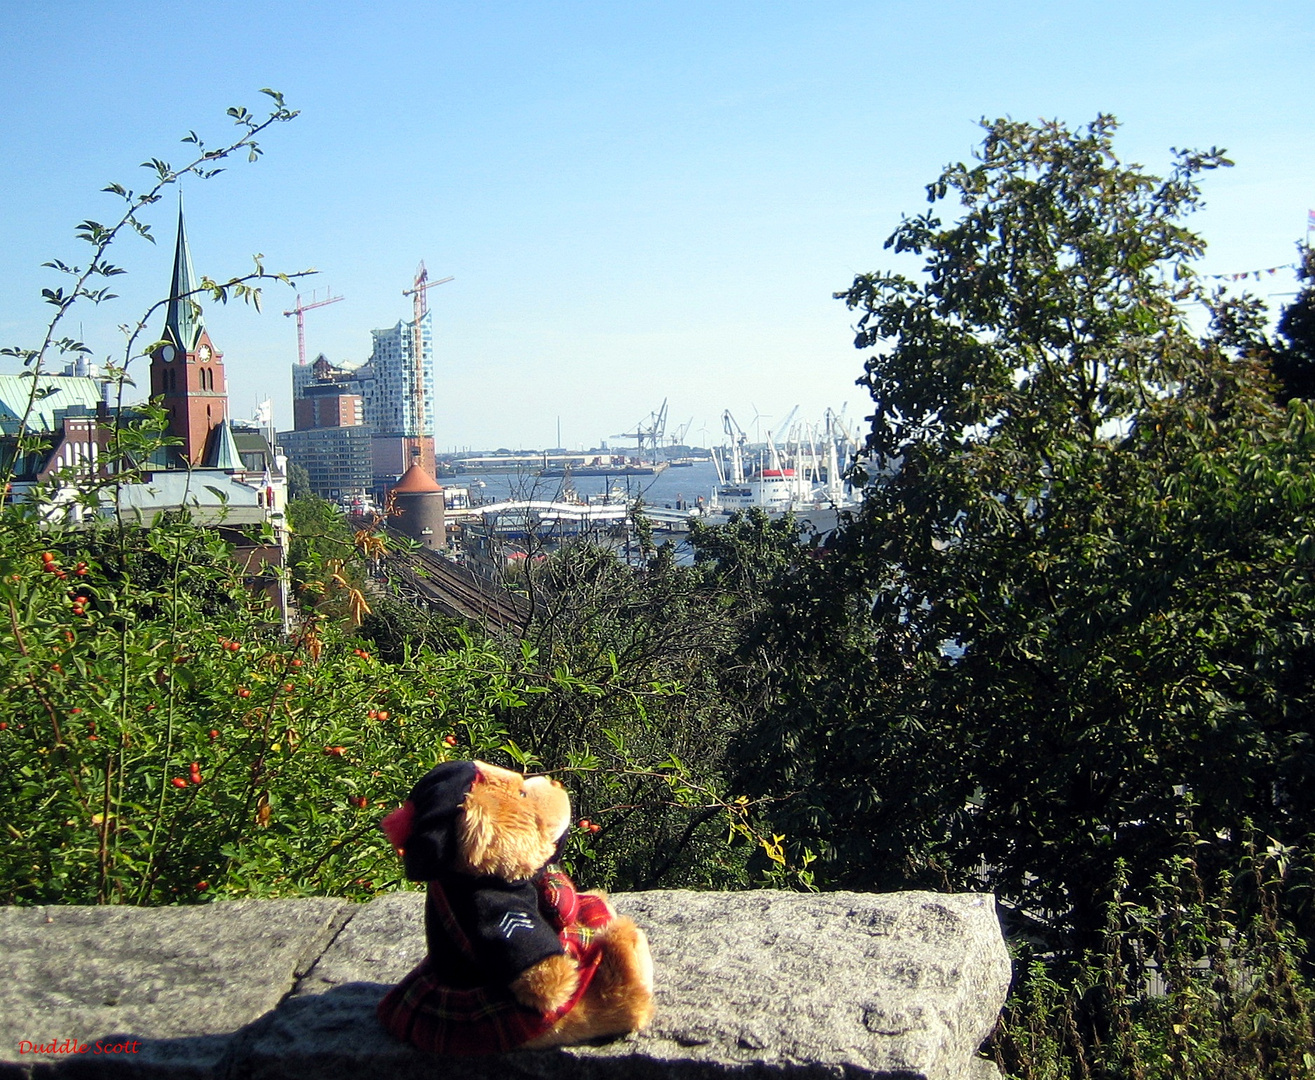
{"points": [[1079, 611]]}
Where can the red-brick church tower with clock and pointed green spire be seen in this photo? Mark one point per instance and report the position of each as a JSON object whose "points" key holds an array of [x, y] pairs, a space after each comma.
{"points": [[187, 372]]}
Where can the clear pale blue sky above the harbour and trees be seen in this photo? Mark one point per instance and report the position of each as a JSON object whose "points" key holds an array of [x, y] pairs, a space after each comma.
{"points": [[637, 201]]}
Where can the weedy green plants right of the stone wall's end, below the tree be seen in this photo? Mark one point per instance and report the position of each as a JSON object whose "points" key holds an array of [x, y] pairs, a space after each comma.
{"points": [[1183, 987]]}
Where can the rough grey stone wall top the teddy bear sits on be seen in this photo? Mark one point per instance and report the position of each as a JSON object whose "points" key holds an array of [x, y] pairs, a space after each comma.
{"points": [[755, 985]]}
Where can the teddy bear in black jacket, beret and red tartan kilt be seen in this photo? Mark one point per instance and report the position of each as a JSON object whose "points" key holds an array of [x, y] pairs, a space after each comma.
{"points": [[517, 957]]}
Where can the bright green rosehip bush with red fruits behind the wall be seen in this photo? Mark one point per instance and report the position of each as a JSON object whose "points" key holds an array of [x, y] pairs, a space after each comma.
{"points": [[162, 745]]}
